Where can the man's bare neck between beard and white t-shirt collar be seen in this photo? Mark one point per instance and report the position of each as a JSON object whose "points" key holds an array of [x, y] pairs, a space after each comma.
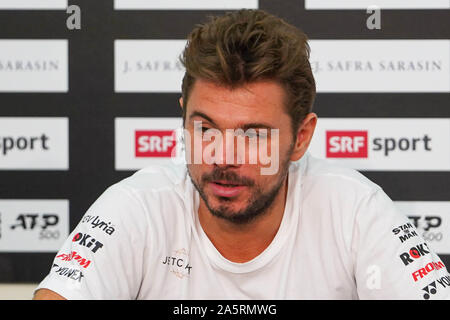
{"points": [[242, 243]]}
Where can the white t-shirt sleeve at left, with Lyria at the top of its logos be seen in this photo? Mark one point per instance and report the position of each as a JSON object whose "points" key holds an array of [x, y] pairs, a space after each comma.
{"points": [[103, 256]]}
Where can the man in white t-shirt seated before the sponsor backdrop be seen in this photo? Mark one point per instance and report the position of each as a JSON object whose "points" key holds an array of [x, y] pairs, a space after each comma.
{"points": [[220, 227]]}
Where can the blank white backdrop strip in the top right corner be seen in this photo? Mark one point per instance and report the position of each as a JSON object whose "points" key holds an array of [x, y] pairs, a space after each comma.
{"points": [[384, 4]]}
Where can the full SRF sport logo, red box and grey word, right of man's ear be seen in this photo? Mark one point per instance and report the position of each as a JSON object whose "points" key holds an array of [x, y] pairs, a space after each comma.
{"points": [[355, 144]]}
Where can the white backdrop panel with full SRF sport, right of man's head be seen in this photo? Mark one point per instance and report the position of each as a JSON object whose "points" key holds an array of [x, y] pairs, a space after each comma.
{"points": [[384, 144]]}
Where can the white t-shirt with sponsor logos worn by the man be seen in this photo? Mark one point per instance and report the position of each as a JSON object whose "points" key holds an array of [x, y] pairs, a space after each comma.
{"points": [[340, 238]]}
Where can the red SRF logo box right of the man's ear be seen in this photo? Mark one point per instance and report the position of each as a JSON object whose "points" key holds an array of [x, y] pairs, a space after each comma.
{"points": [[347, 144]]}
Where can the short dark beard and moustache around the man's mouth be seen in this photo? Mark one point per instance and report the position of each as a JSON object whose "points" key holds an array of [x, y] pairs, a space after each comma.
{"points": [[258, 203]]}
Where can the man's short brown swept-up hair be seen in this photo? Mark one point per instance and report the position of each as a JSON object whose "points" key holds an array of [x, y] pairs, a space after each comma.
{"points": [[251, 45]]}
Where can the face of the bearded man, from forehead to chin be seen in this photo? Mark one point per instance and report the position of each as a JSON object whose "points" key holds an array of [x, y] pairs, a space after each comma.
{"points": [[238, 192]]}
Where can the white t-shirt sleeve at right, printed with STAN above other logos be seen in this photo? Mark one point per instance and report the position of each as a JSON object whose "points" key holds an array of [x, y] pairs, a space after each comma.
{"points": [[391, 259]]}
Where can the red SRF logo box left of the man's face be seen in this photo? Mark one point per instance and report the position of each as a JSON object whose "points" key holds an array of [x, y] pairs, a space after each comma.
{"points": [[155, 143]]}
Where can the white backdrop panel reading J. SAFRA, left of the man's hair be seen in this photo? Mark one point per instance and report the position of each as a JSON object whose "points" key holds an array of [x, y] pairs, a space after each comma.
{"points": [[148, 65]]}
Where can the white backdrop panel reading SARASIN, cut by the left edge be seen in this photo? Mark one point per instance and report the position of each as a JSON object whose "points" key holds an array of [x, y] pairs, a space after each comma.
{"points": [[34, 66]]}
